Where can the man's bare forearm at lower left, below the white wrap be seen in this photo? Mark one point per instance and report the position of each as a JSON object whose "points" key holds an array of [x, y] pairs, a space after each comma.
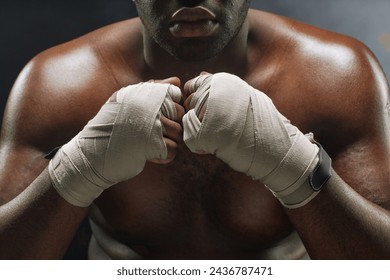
{"points": [[38, 224]]}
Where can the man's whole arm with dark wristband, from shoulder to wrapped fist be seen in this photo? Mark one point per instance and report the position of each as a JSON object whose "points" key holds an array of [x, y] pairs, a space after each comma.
{"points": [[349, 218]]}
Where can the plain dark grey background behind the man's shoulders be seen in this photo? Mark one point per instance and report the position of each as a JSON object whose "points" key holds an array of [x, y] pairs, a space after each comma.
{"points": [[30, 26]]}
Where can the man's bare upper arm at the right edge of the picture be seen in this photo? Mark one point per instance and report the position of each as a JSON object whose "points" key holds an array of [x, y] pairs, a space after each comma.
{"points": [[359, 134]]}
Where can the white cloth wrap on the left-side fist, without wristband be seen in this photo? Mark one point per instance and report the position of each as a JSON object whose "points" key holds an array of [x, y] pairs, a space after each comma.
{"points": [[116, 143]]}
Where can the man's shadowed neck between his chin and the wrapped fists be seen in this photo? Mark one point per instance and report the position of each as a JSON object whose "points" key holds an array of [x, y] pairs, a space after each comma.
{"points": [[233, 59]]}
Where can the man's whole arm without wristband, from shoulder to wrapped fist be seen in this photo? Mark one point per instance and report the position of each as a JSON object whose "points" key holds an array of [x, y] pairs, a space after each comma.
{"points": [[50, 103]]}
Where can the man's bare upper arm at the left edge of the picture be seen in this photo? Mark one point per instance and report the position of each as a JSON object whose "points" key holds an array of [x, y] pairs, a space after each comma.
{"points": [[21, 147]]}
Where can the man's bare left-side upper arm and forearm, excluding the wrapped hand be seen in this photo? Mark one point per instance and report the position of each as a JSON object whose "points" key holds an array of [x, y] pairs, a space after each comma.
{"points": [[35, 221]]}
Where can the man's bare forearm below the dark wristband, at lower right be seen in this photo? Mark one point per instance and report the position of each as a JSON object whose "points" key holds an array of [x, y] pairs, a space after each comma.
{"points": [[341, 224]]}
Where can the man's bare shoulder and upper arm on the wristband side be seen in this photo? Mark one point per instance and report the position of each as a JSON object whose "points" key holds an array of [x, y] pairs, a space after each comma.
{"points": [[332, 85]]}
